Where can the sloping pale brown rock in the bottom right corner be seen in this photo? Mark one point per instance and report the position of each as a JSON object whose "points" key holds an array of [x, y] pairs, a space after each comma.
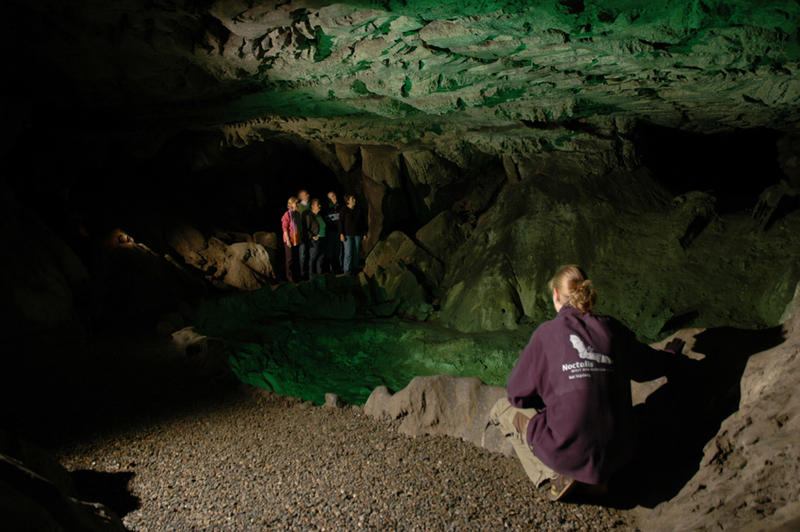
{"points": [[748, 472]]}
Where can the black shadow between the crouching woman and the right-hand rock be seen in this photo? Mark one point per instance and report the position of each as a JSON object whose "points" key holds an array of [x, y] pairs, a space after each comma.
{"points": [[681, 417]]}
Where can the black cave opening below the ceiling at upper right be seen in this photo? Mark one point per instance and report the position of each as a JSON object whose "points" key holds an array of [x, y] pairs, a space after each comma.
{"points": [[733, 166]]}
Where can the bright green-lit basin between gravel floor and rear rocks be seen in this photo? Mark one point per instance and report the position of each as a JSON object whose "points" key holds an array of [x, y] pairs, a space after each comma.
{"points": [[308, 359]]}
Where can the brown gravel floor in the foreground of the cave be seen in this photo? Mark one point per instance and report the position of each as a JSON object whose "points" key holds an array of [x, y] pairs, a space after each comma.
{"points": [[259, 461]]}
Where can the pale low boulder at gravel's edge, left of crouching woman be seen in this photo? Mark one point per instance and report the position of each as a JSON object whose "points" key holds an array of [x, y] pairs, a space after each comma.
{"points": [[443, 405]]}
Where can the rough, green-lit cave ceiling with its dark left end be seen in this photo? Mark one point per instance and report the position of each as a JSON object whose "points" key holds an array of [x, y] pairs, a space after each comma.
{"points": [[408, 71]]}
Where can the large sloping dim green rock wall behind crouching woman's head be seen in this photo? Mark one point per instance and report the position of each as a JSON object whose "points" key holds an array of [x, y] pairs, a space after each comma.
{"points": [[498, 277]]}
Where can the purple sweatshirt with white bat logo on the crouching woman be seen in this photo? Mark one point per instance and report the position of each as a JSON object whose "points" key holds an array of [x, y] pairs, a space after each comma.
{"points": [[576, 370]]}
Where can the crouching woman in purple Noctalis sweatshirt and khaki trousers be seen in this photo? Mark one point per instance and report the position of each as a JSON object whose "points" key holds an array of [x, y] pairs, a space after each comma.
{"points": [[568, 412]]}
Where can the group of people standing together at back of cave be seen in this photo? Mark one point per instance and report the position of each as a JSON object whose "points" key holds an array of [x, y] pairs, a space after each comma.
{"points": [[322, 239]]}
